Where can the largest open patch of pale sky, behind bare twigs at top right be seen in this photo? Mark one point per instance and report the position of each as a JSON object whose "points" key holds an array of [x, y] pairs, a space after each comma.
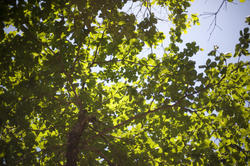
{"points": [[230, 19]]}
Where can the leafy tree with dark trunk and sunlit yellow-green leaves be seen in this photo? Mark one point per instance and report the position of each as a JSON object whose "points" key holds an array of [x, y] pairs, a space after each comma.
{"points": [[74, 91]]}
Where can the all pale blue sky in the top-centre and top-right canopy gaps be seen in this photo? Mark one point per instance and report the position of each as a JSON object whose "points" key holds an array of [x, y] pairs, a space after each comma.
{"points": [[230, 20]]}
